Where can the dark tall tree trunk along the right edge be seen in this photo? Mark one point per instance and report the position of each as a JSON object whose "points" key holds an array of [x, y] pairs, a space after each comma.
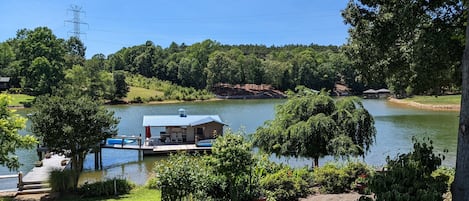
{"points": [[460, 186]]}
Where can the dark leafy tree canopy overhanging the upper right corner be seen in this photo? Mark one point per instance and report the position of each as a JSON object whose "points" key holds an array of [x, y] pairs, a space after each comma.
{"points": [[408, 44]]}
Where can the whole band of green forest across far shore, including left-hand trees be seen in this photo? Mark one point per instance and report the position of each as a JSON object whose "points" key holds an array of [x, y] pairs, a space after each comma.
{"points": [[39, 63]]}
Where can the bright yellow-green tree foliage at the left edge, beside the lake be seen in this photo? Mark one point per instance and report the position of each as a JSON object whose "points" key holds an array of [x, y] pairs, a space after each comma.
{"points": [[10, 139]]}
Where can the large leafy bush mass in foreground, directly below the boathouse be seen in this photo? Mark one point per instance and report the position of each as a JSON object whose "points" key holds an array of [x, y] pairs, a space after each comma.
{"points": [[223, 175]]}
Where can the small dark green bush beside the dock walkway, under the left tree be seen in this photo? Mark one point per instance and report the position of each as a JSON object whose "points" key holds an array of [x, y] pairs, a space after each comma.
{"points": [[62, 180]]}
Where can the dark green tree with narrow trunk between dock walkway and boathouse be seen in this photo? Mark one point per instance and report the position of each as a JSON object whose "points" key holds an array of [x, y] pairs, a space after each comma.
{"points": [[72, 126]]}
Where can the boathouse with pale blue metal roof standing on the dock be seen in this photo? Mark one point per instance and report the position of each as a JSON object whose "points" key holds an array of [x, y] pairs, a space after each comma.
{"points": [[182, 128]]}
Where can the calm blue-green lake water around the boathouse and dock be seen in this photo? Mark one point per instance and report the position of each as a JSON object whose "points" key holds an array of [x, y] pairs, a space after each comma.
{"points": [[395, 124]]}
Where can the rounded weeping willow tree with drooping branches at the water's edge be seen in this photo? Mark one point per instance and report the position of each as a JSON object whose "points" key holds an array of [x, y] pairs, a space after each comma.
{"points": [[312, 125]]}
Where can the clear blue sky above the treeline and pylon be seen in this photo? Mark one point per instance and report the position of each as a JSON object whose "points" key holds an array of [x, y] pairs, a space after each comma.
{"points": [[112, 25]]}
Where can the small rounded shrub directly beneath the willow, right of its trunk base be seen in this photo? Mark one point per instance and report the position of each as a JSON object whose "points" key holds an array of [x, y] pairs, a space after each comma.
{"points": [[331, 178]]}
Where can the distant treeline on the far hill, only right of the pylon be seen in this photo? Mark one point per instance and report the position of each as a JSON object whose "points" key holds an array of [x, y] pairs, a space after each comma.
{"points": [[202, 65]]}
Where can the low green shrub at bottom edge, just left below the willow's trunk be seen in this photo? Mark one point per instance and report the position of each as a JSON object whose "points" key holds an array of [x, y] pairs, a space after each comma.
{"points": [[287, 184]]}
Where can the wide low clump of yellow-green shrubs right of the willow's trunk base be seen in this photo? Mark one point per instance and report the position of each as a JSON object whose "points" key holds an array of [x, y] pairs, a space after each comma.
{"points": [[336, 178]]}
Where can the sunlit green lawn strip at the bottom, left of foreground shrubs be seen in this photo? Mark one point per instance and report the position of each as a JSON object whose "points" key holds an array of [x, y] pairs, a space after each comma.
{"points": [[140, 193]]}
